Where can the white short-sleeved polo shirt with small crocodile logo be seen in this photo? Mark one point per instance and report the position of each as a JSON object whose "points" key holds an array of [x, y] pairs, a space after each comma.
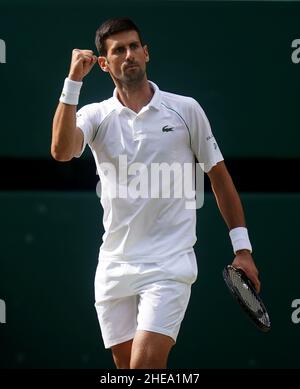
{"points": [[170, 129]]}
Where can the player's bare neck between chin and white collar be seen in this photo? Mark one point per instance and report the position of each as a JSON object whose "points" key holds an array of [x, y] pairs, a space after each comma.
{"points": [[135, 96]]}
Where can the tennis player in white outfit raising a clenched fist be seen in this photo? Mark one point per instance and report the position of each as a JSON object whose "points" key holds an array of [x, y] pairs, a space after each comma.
{"points": [[147, 263]]}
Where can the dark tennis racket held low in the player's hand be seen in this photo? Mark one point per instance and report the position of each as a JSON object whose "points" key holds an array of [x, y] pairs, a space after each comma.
{"points": [[244, 291]]}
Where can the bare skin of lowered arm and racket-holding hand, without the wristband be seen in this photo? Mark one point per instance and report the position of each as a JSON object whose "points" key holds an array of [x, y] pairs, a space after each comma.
{"points": [[231, 208]]}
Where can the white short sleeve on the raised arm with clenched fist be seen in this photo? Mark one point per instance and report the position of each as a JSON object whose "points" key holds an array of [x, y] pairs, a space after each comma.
{"points": [[87, 120]]}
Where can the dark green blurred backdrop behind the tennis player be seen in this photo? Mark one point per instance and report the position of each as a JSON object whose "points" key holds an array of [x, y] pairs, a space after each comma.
{"points": [[235, 58]]}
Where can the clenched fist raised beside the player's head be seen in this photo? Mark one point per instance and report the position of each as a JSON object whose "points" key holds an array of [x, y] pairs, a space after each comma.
{"points": [[81, 64]]}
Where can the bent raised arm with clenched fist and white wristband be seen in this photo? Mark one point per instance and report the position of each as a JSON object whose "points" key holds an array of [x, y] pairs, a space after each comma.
{"points": [[67, 139]]}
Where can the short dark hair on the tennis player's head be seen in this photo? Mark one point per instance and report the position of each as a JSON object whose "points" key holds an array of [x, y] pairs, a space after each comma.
{"points": [[110, 27]]}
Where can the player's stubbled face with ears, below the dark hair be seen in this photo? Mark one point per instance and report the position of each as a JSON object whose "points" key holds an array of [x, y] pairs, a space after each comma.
{"points": [[126, 58]]}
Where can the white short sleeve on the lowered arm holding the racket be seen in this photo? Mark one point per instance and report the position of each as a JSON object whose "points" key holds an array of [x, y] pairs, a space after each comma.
{"points": [[203, 142]]}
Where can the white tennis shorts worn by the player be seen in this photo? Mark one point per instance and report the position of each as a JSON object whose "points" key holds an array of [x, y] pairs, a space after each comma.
{"points": [[143, 296]]}
